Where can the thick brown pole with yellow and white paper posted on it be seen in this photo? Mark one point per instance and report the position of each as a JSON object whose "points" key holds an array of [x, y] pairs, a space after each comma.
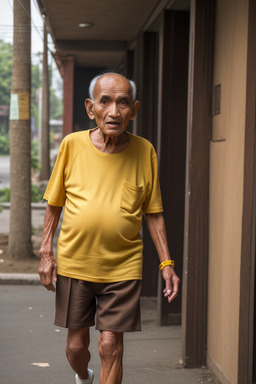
{"points": [[20, 246]]}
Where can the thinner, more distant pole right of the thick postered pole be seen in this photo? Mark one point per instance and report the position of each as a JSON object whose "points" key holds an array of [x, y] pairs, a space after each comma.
{"points": [[45, 129]]}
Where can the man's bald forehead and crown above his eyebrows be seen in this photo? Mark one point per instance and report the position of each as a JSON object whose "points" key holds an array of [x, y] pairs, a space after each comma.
{"points": [[108, 84]]}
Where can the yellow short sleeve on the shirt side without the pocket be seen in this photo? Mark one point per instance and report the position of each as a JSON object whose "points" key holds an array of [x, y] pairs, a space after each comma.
{"points": [[55, 192]]}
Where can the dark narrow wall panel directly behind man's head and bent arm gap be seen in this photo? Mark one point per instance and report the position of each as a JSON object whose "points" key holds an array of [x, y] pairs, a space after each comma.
{"points": [[147, 79]]}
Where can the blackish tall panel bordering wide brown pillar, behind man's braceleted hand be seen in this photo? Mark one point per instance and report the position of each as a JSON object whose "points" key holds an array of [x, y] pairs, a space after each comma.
{"points": [[173, 145]]}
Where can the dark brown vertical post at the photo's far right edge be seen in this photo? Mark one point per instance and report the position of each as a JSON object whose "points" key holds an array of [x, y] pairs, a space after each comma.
{"points": [[247, 272]]}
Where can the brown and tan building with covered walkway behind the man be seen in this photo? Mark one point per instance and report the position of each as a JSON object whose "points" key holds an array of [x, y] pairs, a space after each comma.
{"points": [[194, 63]]}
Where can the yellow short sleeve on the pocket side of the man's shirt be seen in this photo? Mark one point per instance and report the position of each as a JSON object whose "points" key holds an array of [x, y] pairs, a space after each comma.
{"points": [[153, 200]]}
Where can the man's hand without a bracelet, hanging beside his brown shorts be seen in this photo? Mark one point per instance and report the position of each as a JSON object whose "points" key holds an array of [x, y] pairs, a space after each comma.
{"points": [[47, 270]]}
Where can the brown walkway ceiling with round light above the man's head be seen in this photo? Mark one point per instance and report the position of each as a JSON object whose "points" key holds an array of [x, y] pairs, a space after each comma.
{"points": [[116, 23]]}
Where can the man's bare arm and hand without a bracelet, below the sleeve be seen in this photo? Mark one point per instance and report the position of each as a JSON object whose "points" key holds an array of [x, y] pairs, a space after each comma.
{"points": [[48, 267]]}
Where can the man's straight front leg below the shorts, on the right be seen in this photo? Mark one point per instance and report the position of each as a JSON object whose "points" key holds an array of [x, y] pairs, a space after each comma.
{"points": [[111, 354]]}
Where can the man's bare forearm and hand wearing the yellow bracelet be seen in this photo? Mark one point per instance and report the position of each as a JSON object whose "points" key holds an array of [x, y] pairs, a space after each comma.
{"points": [[156, 225]]}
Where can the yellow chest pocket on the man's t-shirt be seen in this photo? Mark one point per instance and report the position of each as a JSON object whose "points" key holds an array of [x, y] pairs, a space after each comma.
{"points": [[131, 197]]}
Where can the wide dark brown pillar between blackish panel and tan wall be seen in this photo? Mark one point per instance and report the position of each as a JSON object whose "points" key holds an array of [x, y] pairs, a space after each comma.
{"points": [[196, 240]]}
